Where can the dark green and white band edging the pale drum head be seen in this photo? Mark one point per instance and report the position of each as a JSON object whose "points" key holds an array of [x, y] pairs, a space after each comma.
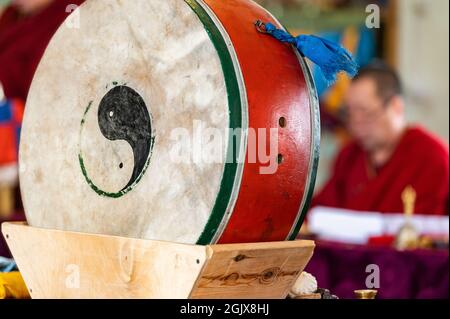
{"points": [[219, 217]]}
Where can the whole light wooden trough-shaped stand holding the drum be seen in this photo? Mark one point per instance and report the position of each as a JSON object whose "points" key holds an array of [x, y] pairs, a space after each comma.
{"points": [[61, 264]]}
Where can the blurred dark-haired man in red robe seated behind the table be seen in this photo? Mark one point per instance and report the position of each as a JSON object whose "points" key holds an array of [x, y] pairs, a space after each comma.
{"points": [[386, 155]]}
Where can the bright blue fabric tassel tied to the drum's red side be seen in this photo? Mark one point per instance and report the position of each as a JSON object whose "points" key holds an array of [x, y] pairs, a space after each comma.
{"points": [[329, 56]]}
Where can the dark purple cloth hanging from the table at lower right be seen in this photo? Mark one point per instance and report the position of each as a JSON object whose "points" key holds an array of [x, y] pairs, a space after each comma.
{"points": [[418, 274]]}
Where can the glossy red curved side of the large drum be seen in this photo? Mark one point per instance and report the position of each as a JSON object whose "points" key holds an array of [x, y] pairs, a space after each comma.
{"points": [[280, 93]]}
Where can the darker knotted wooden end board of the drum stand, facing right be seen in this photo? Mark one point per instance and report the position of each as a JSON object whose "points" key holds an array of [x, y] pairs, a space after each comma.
{"points": [[260, 270]]}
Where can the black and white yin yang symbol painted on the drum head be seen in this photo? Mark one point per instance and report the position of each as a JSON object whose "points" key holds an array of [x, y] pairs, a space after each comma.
{"points": [[122, 116]]}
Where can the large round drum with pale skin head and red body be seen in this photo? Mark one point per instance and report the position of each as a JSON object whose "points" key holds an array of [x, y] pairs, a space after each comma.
{"points": [[171, 120]]}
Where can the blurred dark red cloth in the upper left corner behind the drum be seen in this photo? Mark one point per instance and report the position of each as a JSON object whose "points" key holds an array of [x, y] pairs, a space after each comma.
{"points": [[22, 43]]}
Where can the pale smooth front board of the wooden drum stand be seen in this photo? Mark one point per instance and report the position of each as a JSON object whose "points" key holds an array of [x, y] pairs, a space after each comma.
{"points": [[52, 261]]}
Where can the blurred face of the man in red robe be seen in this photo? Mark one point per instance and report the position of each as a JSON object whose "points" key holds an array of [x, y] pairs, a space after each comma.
{"points": [[371, 120]]}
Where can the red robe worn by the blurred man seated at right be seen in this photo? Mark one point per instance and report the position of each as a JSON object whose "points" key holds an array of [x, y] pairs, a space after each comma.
{"points": [[420, 160]]}
